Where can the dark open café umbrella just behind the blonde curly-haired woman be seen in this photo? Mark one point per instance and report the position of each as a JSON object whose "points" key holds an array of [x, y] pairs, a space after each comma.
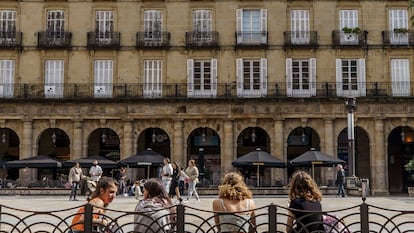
{"points": [[258, 158]]}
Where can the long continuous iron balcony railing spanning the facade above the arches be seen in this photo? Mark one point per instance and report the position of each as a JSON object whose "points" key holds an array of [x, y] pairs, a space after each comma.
{"points": [[220, 91]]}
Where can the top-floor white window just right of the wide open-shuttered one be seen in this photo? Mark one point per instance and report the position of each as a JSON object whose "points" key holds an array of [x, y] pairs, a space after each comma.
{"points": [[299, 27]]}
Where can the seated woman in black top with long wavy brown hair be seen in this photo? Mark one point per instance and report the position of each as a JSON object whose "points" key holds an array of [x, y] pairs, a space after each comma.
{"points": [[305, 205]]}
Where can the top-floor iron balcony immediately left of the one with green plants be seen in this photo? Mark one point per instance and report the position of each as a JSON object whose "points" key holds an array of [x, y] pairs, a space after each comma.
{"points": [[301, 39]]}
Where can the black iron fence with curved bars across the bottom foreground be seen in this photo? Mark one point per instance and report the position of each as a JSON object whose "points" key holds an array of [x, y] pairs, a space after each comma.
{"points": [[271, 218]]}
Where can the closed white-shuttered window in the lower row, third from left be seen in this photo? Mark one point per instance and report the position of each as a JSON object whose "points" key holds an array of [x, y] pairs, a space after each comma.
{"points": [[103, 78]]}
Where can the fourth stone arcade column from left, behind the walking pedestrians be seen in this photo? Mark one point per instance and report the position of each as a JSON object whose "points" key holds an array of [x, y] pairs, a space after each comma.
{"points": [[178, 144]]}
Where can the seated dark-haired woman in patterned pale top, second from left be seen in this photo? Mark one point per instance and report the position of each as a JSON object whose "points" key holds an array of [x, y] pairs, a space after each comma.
{"points": [[156, 213]]}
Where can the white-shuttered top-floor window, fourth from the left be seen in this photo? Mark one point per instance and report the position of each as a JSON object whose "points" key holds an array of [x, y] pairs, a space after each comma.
{"points": [[153, 25]]}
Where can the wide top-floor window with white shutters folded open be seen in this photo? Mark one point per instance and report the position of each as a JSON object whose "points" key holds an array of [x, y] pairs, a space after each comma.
{"points": [[252, 26]]}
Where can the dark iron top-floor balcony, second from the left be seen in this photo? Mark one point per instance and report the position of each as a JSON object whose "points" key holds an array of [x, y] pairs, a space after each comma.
{"points": [[54, 40]]}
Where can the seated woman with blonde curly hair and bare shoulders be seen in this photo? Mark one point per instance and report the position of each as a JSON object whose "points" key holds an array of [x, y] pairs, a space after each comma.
{"points": [[234, 208]]}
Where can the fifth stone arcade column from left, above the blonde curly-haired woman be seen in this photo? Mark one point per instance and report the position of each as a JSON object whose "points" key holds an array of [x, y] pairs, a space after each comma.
{"points": [[228, 155]]}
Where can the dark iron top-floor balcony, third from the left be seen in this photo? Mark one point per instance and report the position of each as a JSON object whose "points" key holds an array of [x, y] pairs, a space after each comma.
{"points": [[104, 40]]}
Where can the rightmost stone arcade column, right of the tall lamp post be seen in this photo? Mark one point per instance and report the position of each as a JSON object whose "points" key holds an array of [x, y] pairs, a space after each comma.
{"points": [[379, 171]]}
